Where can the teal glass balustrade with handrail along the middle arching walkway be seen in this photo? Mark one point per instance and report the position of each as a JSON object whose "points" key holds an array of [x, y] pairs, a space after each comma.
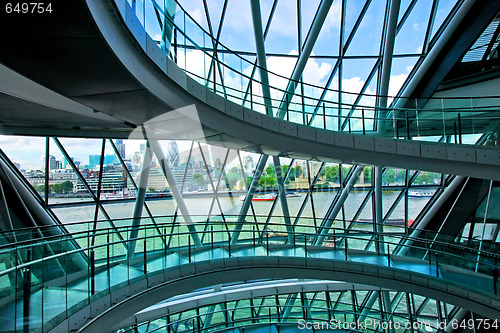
{"points": [[45, 280]]}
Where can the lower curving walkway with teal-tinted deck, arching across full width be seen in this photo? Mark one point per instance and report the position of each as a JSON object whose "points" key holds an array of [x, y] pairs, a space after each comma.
{"points": [[123, 289]]}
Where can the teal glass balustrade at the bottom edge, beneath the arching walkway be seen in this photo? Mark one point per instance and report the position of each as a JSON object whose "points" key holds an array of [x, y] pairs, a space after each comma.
{"points": [[277, 313]]}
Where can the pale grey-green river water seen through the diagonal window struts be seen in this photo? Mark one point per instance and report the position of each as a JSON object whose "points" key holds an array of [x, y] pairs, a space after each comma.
{"points": [[232, 205]]}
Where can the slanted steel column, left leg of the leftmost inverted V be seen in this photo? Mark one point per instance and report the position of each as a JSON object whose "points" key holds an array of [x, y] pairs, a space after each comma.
{"points": [[139, 200]]}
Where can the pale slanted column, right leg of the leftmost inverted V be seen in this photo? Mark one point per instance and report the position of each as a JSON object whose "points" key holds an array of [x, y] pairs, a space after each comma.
{"points": [[175, 190]]}
